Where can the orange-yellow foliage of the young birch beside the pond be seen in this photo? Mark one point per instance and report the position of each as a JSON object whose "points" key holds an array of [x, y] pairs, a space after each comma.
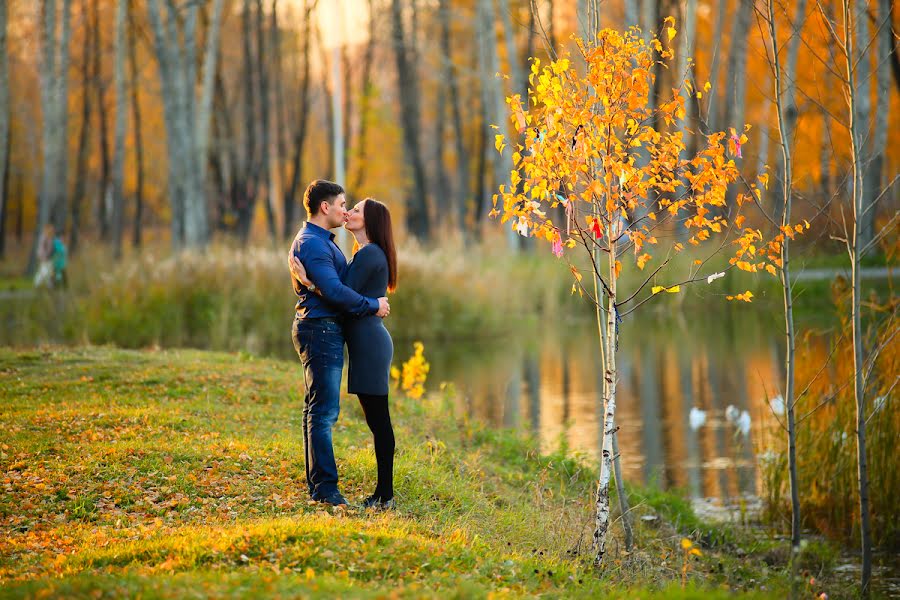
{"points": [[590, 145]]}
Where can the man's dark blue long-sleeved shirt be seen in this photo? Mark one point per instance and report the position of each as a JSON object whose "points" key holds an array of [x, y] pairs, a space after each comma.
{"points": [[325, 266]]}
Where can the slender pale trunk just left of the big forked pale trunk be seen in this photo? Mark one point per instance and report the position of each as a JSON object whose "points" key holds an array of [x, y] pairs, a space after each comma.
{"points": [[118, 170]]}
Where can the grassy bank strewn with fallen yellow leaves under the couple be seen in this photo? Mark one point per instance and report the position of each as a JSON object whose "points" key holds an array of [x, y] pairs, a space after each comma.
{"points": [[156, 473]]}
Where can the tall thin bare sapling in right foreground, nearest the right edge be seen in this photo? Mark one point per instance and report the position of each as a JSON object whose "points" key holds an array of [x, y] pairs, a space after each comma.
{"points": [[857, 92]]}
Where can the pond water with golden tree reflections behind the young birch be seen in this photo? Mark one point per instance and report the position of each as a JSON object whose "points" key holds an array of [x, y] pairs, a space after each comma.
{"points": [[551, 383]]}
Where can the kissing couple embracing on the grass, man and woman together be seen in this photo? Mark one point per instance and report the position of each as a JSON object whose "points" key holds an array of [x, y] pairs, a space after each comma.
{"points": [[342, 302]]}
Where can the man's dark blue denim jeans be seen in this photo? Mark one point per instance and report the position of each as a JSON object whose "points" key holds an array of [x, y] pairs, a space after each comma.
{"points": [[320, 345]]}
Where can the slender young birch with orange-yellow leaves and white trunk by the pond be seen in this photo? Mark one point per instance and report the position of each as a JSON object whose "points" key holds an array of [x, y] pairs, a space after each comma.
{"points": [[582, 136]]}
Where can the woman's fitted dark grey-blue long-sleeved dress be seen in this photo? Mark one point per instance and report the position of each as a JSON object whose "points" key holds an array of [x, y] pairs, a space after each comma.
{"points": [[369, 344]]}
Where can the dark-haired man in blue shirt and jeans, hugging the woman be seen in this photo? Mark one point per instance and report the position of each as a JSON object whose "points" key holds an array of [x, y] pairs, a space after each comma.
{"points": [[317, 333]]}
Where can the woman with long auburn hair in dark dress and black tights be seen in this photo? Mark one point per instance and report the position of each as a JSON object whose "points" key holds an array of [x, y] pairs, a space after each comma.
{"points": [[372, 272]]}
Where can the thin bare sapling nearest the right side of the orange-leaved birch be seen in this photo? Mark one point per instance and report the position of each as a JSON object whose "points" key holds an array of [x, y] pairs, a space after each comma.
{"points": [[786, 110]]}
